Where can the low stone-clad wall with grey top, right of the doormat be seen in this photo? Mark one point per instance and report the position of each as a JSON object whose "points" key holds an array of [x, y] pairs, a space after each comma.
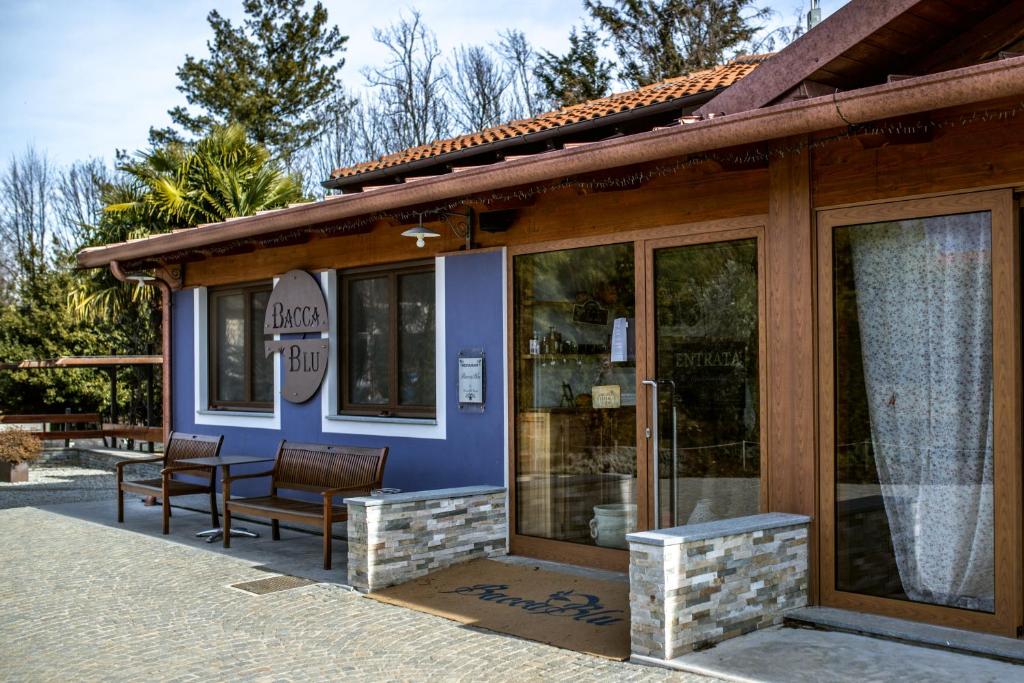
{"points": [[694, 586]]}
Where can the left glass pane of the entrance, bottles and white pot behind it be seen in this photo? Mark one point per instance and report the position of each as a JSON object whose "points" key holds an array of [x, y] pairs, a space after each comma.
{"points": [[576, 396]]}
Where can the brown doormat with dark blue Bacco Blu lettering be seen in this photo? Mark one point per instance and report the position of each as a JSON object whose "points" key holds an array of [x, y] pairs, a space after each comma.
{"points": [[563, 610]]}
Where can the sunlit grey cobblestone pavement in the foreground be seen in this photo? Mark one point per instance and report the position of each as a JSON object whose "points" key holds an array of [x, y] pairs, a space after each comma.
{"points": [[84, 603]]}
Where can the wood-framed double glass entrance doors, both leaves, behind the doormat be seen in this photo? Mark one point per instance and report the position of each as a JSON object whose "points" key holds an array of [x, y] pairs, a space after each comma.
{"points": [[637, 390]]}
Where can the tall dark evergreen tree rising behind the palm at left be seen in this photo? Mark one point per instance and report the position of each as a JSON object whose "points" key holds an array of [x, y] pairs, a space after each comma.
{"points": [[269, 75]]}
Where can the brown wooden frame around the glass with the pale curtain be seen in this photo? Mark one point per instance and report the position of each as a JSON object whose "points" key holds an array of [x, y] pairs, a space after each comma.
{"points": [[1007, 410]]}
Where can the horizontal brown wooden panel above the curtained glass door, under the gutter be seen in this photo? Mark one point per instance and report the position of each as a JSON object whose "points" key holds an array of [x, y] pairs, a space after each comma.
{"points": [[972, 149]]}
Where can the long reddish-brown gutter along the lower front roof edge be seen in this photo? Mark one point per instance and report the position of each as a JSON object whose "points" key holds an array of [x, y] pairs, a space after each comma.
{"points": [[963, 87]]}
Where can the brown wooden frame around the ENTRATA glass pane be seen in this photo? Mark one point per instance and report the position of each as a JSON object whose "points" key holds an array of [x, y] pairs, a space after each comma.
{"points": [[756, 233]]}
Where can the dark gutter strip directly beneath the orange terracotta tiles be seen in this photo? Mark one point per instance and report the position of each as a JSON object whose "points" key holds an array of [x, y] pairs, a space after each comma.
{"points": [[677, 105]]}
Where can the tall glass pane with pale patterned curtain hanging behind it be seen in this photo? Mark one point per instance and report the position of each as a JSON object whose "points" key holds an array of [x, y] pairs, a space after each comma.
{"points": [[914, 411]]}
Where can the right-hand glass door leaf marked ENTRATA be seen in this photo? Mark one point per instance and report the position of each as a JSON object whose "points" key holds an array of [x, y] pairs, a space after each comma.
{"points": [[704, 386]]}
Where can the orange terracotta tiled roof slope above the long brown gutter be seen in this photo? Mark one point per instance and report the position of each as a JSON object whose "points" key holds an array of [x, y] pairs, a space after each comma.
{"points": [[674, 89]]}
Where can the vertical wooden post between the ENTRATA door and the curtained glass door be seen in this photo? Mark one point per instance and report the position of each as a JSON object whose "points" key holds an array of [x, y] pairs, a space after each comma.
{"points": [[791, 337]]}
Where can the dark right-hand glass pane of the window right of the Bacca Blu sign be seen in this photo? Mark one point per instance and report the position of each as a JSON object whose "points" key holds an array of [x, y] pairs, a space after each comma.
{"points": [[416, 339]]}
